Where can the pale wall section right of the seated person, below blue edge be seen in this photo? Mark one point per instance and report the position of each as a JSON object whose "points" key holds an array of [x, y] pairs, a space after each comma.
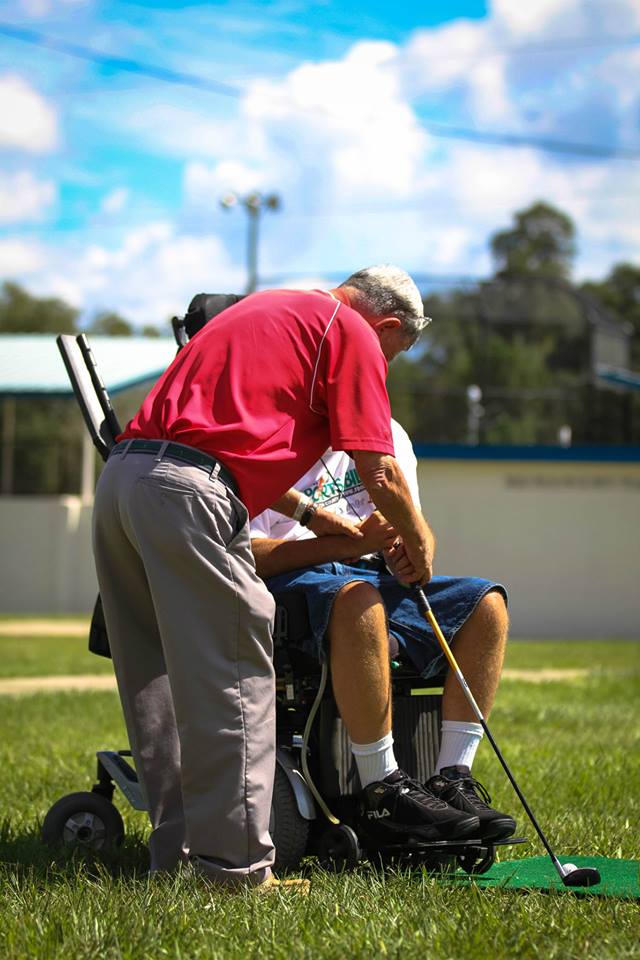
{"points": [[564, 538]]}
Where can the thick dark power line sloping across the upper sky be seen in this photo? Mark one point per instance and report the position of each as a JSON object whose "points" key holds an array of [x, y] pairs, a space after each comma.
{"points": [[193, 81]]}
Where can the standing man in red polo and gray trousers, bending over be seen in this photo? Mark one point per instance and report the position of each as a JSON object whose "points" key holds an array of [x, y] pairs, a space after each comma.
{"points": [[244, 410]]}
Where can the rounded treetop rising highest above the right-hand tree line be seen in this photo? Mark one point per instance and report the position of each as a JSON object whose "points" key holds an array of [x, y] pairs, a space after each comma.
{"points": [[540, 244]]}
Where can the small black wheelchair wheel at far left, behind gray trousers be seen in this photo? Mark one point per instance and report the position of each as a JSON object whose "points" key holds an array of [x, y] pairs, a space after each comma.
{"points": [[84, 820]]}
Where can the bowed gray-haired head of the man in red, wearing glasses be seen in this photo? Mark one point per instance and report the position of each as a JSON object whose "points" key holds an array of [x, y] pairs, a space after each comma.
{"points": [[388, 291]]}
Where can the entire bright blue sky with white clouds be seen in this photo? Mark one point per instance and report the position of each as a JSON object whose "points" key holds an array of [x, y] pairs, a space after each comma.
{"points": [[110, 178]]}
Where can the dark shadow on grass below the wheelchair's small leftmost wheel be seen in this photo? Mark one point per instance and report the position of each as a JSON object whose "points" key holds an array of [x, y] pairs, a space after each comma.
{"points": [[24, 853]]}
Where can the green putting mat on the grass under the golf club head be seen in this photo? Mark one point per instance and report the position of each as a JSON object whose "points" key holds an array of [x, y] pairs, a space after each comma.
{"points": [[619, 878]]}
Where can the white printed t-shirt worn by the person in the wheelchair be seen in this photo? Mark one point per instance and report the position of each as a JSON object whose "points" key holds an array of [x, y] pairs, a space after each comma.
{"points": [[333, 483]]}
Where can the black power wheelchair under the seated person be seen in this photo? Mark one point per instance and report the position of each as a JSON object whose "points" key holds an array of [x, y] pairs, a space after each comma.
{"points": [[314, 807]]}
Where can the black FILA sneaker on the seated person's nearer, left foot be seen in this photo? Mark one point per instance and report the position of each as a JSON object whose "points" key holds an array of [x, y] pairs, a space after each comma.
{"points": [[398, 808]]}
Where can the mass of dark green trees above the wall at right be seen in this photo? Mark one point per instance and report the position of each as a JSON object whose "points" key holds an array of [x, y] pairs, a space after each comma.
{"points": [[525, 338]]}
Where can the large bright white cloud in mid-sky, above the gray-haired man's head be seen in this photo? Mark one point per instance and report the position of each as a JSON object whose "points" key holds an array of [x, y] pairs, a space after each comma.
{"points": [[342, 126]]}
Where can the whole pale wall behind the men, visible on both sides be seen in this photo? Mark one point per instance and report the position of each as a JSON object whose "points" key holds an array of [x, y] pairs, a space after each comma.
{"points": [[563, 537]]}
